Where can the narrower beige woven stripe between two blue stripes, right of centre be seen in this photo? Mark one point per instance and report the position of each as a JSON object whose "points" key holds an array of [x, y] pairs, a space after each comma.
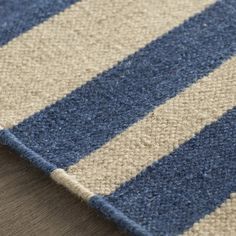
{"points": [[159, 133]]}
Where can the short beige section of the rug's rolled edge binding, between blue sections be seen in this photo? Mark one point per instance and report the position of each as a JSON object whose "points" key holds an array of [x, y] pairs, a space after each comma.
{"points": [[61, 177]]}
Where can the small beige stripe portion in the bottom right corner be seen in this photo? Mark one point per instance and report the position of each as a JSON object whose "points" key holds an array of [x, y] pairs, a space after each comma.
{"points": [[222, 222]]}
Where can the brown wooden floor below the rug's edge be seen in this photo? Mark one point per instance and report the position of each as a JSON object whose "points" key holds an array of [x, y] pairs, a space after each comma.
{"points": [[32, 204]]}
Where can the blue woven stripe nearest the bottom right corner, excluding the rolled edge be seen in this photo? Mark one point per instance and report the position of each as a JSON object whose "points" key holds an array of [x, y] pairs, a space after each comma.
{"points": [[172, 194]]}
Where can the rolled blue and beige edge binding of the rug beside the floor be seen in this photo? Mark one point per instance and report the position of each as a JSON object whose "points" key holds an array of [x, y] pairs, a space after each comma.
{"points": [[61, 177]]}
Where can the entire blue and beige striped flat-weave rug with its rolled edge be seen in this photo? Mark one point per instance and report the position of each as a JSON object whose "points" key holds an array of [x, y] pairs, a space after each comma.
{"points": [[130, 104]]}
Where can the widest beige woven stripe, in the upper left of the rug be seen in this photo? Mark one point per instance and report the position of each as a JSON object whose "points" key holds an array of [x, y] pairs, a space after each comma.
{"points": [[63, 53]]}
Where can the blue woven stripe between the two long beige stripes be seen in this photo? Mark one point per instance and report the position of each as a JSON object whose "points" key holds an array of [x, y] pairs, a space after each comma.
{"points": [[94, 113]]}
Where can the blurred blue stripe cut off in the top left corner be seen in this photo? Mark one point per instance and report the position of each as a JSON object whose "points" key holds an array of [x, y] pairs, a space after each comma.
{"points": [[18, 16]]}
